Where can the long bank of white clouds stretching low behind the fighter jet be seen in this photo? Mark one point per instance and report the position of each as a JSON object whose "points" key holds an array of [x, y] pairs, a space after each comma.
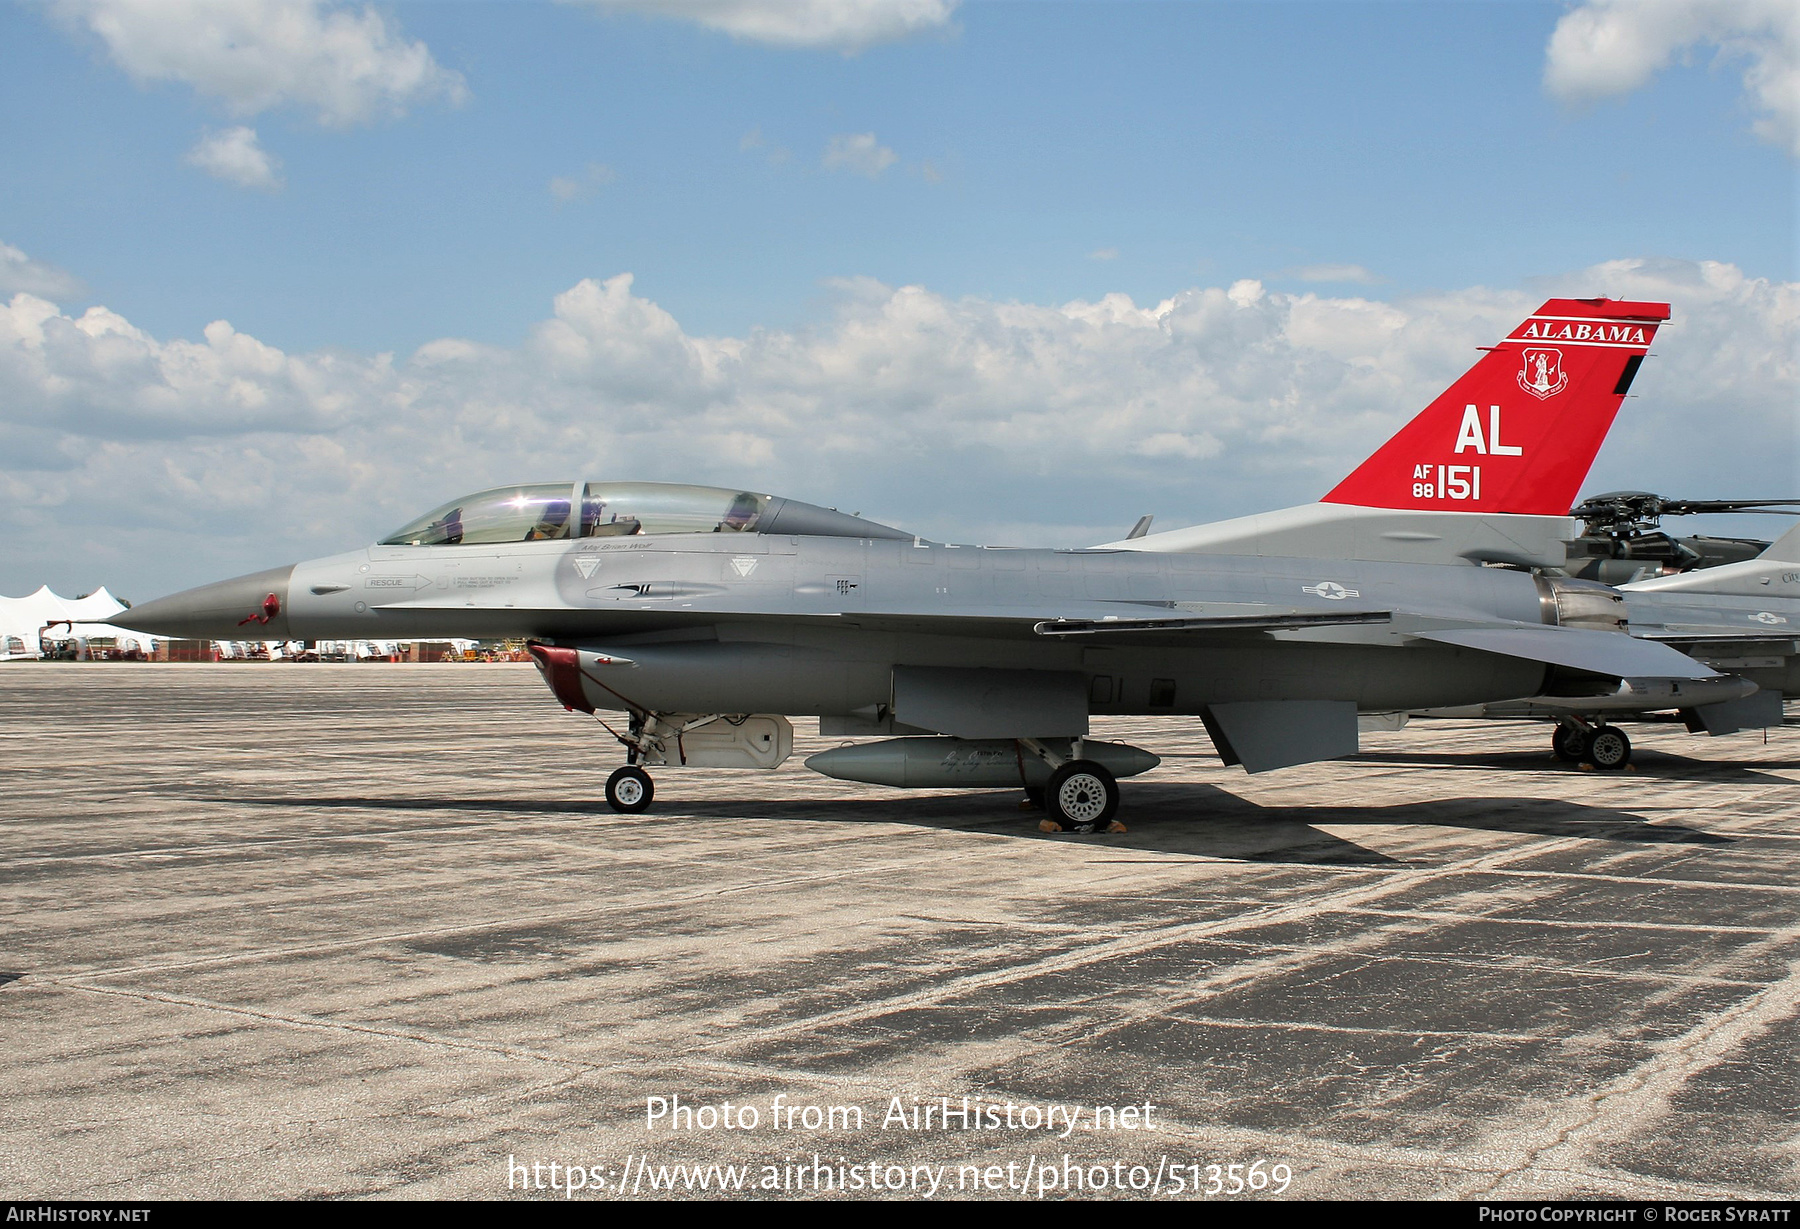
{"points": [[161, 463]]}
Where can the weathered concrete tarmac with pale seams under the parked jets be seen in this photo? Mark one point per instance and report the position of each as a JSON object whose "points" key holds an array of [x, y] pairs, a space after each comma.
{"points": [[370, 931]]}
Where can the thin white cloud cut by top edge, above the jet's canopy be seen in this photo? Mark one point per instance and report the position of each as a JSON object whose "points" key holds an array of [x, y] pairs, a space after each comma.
{"points": [[847, 26]]}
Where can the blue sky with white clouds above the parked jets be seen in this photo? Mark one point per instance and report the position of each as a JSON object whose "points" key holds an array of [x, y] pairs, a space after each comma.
{"points": [[280, 274]]}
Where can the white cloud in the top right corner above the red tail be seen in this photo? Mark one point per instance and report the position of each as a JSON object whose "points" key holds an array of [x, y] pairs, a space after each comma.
{"points": [[1610, 48]]}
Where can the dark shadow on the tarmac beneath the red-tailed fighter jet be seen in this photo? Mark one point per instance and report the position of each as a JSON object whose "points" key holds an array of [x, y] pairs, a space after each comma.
{"points": [[1164, 818]]}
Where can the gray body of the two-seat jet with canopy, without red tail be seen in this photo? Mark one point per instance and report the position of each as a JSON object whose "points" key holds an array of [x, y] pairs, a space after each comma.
{"points": [[877, 632]]}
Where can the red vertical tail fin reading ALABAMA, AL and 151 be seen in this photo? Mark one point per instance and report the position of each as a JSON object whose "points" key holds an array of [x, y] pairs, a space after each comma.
{"points": [[1520, 431]]}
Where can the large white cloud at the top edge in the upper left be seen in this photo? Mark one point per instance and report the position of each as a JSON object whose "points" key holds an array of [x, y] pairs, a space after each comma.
{"points": [[343, 66]]}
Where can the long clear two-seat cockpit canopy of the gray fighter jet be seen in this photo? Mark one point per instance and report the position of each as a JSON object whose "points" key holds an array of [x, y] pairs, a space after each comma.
{"points": [[620, 510]]}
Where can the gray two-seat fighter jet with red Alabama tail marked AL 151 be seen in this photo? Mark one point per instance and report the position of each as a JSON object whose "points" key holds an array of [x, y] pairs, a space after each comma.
{"points": [[696, 622]]}
